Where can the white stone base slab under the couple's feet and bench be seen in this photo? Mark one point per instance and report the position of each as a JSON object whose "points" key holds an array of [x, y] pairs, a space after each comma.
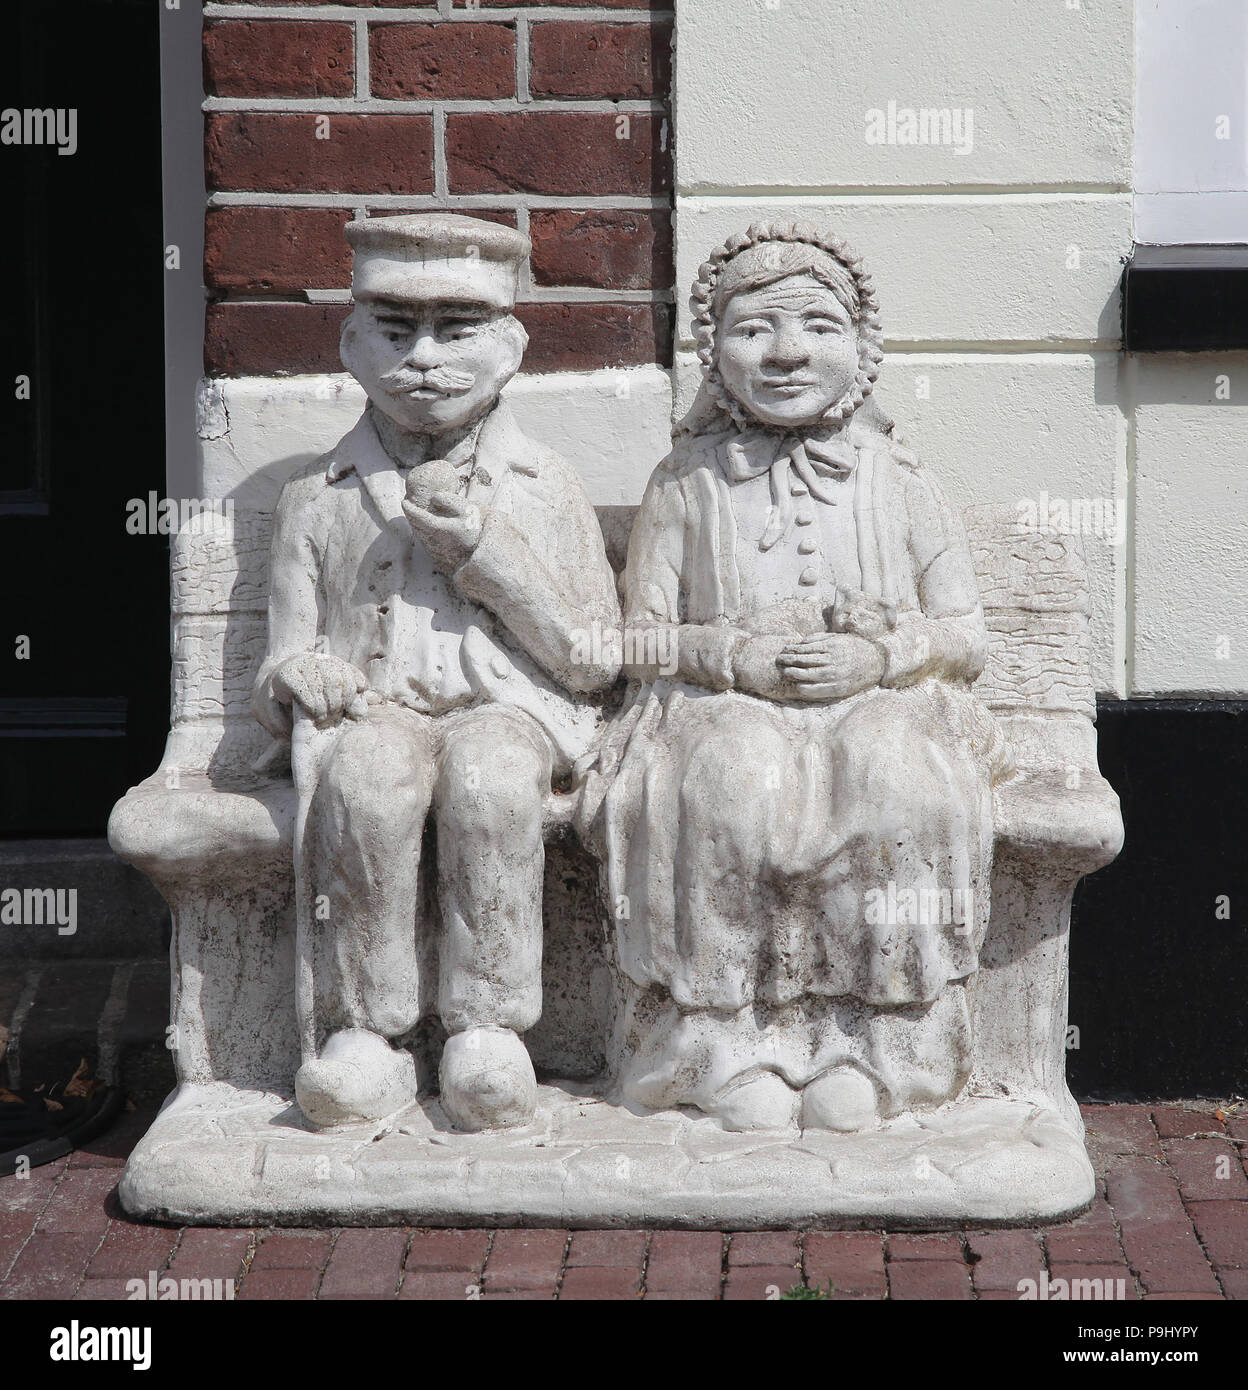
{"points": [[230, 1157]]}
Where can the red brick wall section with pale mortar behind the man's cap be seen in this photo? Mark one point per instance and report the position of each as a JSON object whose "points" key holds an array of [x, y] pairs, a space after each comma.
{"points": [[551, 117]]}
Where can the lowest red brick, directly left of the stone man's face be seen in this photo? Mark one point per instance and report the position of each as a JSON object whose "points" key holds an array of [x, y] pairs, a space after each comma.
{"points": [[270, 340]]}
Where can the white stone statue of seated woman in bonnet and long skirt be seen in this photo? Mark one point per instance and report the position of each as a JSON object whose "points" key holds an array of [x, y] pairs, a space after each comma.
{"points": [[798, 821]]}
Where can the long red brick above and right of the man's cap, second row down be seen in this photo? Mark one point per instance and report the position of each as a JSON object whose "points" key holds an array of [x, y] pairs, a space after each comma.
{"points": [[555, 152]]}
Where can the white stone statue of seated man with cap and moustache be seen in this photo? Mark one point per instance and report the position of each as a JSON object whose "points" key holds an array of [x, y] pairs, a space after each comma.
{"points": [[429, 578]]}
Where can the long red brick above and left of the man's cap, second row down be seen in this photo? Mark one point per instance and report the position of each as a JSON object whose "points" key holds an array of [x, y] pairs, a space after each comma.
{"points": [[279, 152]]}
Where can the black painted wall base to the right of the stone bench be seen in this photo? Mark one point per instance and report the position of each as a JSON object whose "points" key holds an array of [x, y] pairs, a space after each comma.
{"points": [[1160, 939]]}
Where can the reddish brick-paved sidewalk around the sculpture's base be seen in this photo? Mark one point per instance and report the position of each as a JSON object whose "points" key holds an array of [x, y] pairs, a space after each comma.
{"points": [[1171, 1220]]}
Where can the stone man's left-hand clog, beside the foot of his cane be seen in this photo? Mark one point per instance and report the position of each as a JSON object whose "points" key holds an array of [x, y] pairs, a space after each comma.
{"points": [[359, 1078]]}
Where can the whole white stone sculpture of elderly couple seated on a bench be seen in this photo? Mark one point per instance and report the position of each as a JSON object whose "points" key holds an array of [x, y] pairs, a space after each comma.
{"points": [[840, 812]]}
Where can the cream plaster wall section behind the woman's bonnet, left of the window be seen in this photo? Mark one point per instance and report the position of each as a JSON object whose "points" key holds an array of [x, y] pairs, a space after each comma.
{"points": [[997, 263]]}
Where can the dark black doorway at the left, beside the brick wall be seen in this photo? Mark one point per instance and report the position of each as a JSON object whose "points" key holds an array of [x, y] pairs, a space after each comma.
{"points": [[84, 616]]}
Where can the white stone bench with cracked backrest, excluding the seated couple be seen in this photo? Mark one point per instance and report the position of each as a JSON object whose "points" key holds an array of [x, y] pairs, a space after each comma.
{"points": [[213, 829]]}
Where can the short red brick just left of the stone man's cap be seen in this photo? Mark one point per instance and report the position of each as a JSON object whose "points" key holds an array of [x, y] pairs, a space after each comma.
{"points": [[277, 250]]}
